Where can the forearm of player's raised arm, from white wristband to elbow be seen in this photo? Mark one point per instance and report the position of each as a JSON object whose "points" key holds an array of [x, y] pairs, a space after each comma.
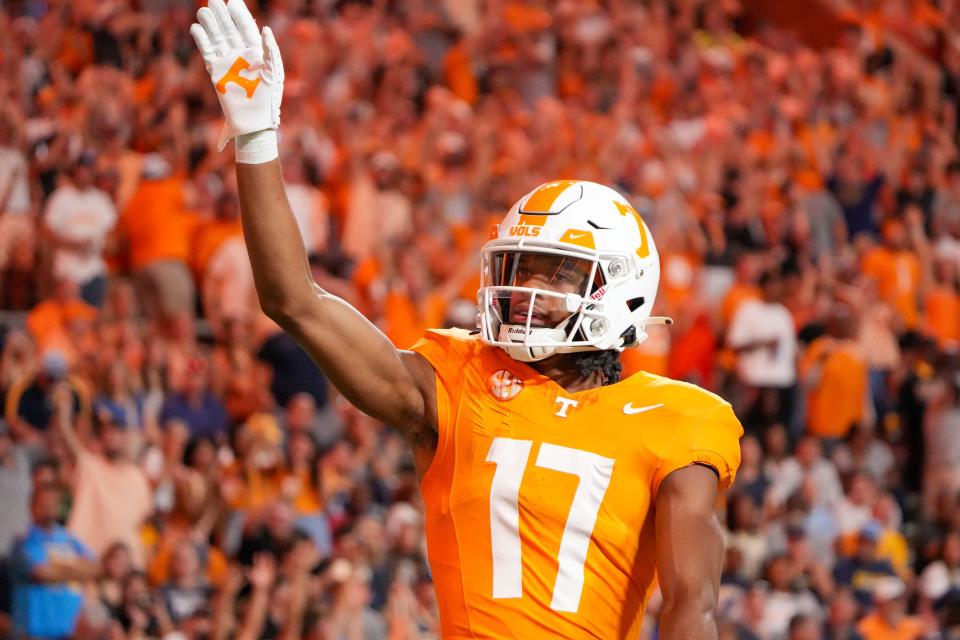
{"points": [[280, 268]]}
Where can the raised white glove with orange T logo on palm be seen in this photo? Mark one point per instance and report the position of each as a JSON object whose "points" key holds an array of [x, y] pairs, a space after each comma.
{"points": [[244, 66]]}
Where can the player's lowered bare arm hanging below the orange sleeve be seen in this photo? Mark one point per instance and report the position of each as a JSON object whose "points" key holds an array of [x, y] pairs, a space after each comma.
{"points": [[689, 553]]}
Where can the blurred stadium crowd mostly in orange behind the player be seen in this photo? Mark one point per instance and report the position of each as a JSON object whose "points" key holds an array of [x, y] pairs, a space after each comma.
{"points": [[210, 484]]}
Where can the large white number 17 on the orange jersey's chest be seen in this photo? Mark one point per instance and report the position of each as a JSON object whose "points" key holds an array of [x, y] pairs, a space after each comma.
{"points": [[594, 472]]}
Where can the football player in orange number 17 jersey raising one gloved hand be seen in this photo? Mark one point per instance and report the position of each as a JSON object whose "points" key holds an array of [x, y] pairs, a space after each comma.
{"points": [[554, 490]]}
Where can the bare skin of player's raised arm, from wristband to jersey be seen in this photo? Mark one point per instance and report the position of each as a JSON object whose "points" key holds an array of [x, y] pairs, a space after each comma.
{"points": [[388, 384]]}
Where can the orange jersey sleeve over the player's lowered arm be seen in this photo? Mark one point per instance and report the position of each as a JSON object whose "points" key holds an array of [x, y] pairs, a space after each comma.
{"points": [[711, 438]]}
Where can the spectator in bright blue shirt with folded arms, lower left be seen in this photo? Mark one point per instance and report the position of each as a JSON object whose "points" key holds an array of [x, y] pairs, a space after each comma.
{"points": [[49, 563]]}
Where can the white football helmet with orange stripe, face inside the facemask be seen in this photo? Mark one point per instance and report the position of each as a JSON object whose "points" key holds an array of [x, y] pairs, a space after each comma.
{"points": [[580, 250]]}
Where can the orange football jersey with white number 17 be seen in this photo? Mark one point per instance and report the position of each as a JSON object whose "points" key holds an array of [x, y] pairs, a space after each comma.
{"points": [[539, 502]]}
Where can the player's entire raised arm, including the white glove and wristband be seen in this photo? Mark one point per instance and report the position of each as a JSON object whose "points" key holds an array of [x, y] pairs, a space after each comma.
{"points": [[392, 386]]}
